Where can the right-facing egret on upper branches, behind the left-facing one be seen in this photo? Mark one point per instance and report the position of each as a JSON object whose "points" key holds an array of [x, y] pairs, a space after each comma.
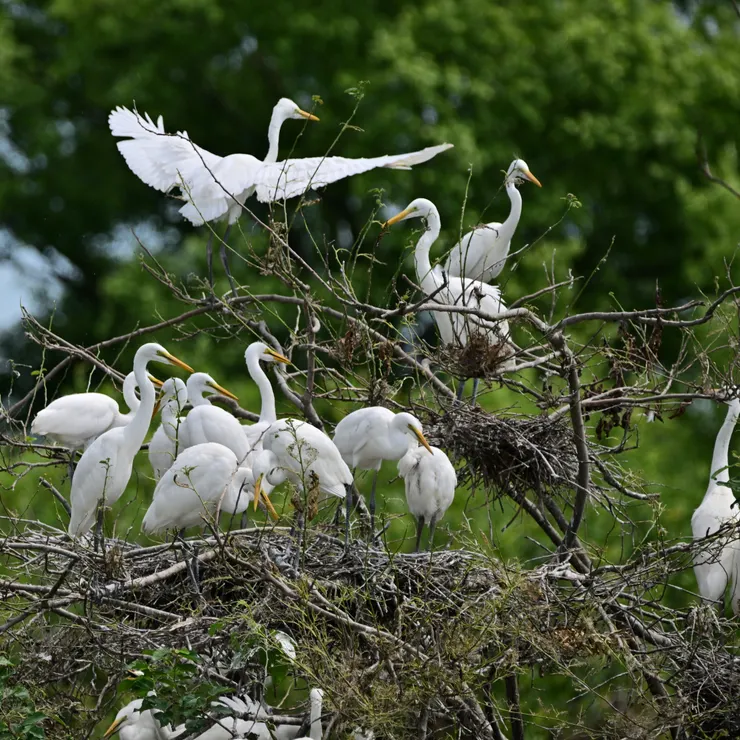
{"points": [[481, 254]]}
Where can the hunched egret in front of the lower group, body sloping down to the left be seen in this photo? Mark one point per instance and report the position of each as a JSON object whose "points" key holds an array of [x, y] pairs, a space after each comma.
{"points": [[203, 479]]}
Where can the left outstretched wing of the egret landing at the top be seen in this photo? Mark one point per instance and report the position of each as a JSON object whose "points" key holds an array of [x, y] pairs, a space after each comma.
{"points": [[160, 159]]}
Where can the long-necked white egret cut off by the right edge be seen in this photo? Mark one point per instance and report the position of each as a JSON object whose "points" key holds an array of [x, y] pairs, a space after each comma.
{"points": [[715, 569]]}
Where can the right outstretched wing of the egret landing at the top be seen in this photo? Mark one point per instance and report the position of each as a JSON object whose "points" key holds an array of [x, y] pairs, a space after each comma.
{"points": [[292, 177]]}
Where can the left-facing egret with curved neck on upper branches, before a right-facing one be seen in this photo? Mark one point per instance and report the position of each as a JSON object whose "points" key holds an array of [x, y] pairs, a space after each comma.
{"points": [[453, 291]]}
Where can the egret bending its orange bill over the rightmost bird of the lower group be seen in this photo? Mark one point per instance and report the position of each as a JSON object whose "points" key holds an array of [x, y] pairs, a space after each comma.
{"points": [[368, 436]]}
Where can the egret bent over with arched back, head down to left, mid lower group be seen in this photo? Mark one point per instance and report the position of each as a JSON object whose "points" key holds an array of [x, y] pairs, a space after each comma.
{"points": [[297, 451]]}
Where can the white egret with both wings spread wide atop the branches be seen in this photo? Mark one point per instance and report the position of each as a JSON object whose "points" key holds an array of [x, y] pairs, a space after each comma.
{"points": [[216, 187]]}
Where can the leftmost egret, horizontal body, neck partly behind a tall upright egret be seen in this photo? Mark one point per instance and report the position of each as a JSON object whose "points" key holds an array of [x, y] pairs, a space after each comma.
{"points": [[76, 420]]}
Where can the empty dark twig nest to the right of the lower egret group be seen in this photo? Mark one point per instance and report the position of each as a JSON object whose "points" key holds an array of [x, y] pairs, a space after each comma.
{"points": [[505, 453]]}
